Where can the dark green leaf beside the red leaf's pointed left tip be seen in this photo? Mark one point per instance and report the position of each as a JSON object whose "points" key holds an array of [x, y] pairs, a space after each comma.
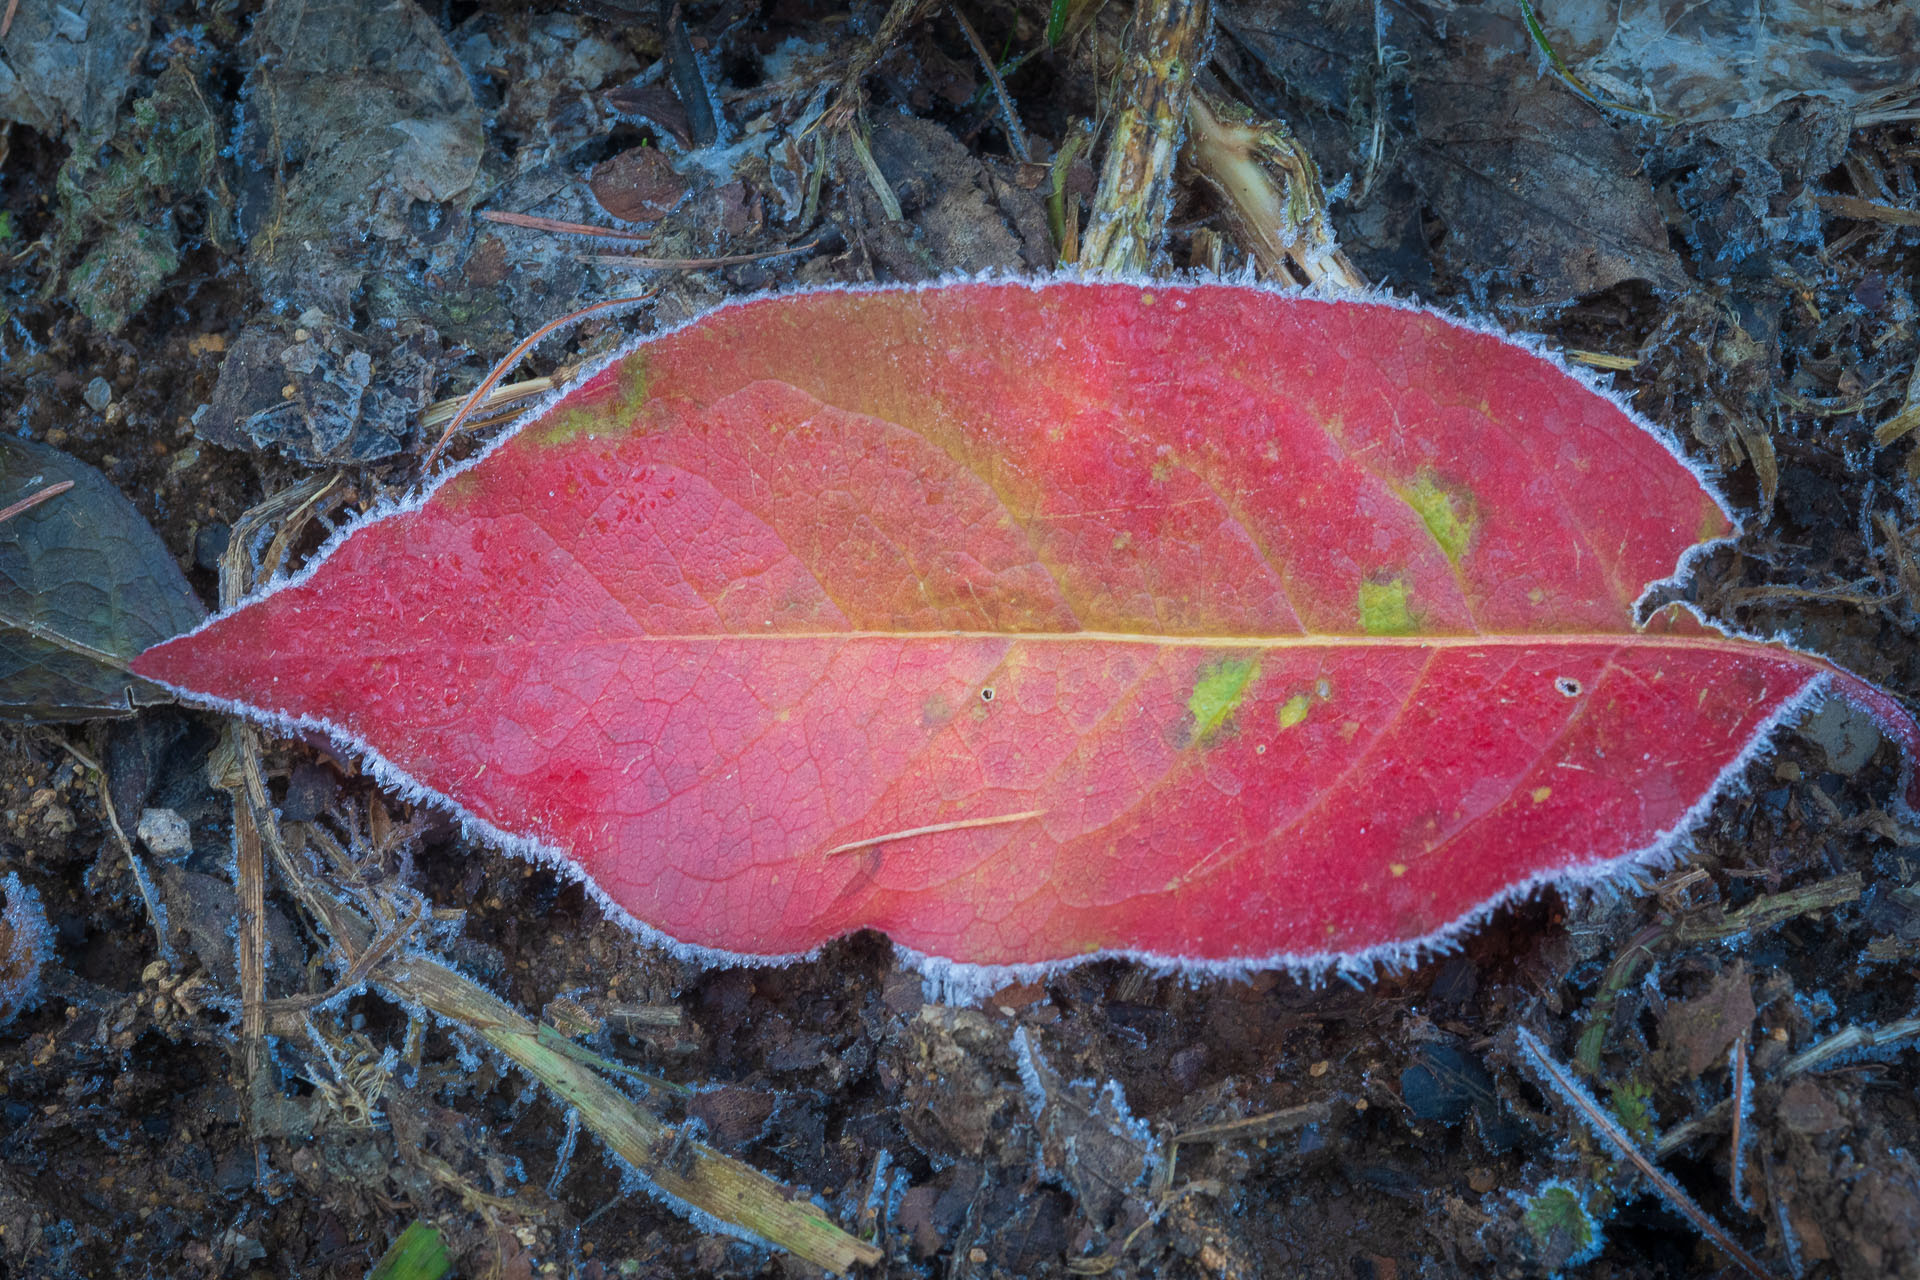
{"points": [[85, 569]]}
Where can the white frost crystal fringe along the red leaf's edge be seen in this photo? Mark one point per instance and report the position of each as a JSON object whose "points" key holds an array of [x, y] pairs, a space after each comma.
{"points": [[967, 984]]}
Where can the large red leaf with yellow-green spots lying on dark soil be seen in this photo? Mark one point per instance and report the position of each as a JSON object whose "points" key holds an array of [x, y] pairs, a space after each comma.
{"points": [[1030, 623]]}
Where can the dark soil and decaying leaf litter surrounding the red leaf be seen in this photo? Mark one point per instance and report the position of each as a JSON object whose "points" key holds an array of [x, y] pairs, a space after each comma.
{"points": [[1748, 268]]}
